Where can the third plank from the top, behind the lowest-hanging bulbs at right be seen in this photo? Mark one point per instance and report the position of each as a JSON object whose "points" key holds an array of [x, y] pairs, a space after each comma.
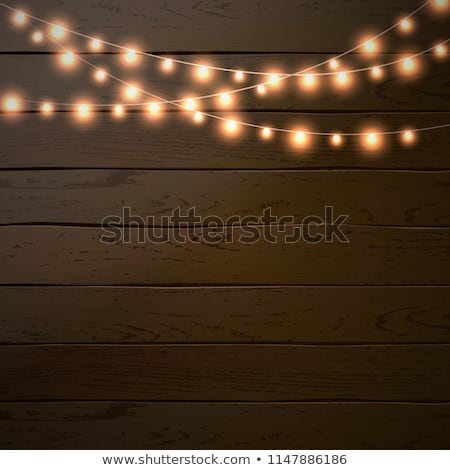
{"points": [[174, 143]]}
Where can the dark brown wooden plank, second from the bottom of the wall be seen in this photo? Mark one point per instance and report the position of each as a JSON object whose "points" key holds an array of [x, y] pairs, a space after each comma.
{"points": [[225, 373]]}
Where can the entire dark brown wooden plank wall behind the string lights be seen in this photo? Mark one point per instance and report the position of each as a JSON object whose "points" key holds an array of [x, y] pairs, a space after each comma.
{"points": [[264, 346]]}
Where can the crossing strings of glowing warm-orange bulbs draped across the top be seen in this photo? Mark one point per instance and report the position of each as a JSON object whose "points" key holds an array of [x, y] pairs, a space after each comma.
{"points": [[300, 138]]}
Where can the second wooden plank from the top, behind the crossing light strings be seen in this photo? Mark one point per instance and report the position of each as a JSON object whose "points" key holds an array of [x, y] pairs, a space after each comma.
{"points": [[41, 77]]}
